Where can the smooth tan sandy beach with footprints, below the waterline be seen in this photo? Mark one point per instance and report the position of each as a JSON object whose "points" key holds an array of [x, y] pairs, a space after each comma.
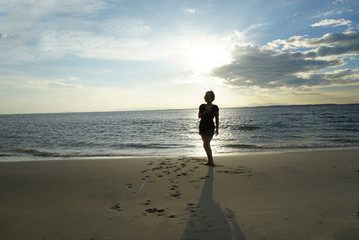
{"points": [[299, 195]]}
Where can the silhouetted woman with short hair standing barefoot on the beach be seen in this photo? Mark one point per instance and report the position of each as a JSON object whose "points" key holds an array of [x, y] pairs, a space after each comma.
{"points": [[206, 126]]}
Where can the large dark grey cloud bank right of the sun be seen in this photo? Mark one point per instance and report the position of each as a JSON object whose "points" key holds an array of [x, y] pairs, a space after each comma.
{"points": [[293, 63]]}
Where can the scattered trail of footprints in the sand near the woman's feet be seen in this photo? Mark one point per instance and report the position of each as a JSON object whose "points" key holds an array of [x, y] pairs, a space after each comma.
{"points": [[171, 171]]}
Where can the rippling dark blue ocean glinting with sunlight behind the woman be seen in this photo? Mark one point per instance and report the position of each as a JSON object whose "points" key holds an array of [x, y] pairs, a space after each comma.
{"points": [[26, 137]]}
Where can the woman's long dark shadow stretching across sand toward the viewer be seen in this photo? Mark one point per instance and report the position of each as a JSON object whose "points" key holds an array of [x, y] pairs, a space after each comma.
{"points": [[207, 220]]}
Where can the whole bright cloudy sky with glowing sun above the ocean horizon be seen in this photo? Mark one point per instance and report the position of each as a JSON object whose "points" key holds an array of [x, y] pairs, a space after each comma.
{"points": [[114, 55]]}
